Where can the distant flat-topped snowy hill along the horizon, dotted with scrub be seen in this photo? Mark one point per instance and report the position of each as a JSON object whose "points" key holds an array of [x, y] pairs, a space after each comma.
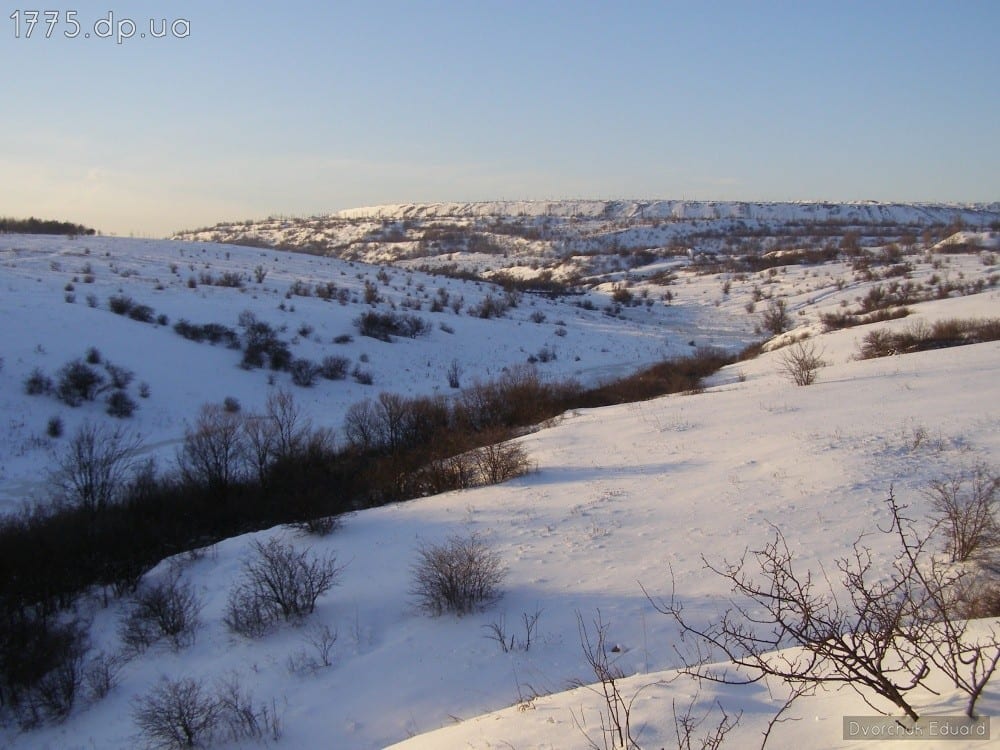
{"points": [[570, 240]]}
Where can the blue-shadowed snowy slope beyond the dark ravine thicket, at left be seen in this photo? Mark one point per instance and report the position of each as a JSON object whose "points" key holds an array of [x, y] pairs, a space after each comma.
{"points": [[42, 330]]}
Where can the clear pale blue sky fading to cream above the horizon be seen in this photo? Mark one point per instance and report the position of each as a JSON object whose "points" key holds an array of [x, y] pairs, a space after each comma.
{"points": [[258, 108]]}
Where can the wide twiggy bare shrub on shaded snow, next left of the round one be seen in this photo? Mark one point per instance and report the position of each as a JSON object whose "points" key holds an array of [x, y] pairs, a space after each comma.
{"points": [[279, 582]]}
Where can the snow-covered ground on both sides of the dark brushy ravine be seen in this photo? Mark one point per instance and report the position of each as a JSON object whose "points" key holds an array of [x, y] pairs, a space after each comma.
{"points": [[622, 496]]}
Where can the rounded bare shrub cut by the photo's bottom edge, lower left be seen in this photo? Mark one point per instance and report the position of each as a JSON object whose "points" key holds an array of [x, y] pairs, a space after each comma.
{"points": [[177, 714]]}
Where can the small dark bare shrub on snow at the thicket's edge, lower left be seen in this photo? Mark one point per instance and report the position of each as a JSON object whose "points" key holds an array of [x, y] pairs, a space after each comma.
{"points": [[168, 609]]}
